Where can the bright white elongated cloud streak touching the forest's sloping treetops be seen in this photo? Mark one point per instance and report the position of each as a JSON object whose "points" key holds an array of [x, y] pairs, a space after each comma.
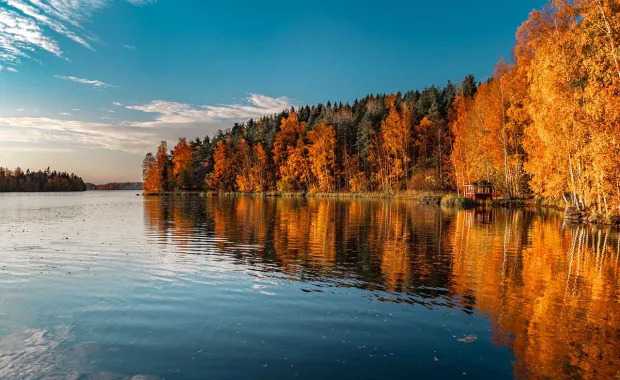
{"points": [[255, 106]]}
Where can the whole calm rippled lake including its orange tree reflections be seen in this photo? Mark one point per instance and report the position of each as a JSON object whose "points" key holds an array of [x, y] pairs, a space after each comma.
{"points": [[106, 285]]}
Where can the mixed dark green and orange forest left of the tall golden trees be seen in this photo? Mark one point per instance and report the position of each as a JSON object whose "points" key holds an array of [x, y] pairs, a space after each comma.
{"points": [[379, 143]]}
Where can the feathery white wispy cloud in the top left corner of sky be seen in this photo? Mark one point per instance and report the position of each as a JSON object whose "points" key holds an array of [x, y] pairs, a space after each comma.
{"points": [[30, 25]]}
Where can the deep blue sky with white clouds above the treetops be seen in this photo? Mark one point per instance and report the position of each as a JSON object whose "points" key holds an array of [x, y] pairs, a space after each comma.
{"points": [[90, 86]]}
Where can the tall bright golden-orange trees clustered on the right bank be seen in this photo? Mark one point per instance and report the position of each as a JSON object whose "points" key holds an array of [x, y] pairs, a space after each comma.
{"points": [[554, 115]]}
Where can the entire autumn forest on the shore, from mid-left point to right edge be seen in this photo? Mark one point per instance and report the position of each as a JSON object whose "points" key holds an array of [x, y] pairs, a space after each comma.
{"points": [[545, 125]]}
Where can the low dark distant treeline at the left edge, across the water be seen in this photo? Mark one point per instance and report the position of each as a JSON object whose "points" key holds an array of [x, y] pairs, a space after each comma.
{"points": [[40, 181]]}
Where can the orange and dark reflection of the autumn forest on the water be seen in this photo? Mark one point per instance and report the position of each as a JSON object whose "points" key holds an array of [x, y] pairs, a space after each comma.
{"points": [[551, 291]]}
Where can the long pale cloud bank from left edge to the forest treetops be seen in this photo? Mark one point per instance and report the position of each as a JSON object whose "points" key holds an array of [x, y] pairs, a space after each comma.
{"points": [[169, 120]]}
